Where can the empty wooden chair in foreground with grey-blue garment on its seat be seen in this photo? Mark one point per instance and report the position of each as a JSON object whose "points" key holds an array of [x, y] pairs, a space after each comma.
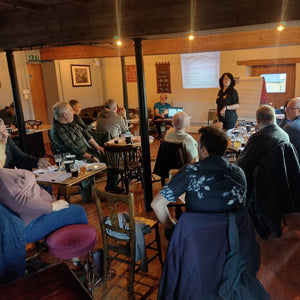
{"points": [[123, 248]]}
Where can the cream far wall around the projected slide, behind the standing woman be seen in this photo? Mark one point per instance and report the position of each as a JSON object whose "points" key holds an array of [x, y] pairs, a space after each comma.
{"points": [[195, 99]]}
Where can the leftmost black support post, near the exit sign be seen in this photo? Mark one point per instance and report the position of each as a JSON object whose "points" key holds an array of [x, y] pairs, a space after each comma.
{"points": [[17, 101]]}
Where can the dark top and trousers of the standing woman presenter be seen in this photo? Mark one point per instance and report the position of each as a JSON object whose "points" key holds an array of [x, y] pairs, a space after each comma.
{"points": [[229, 97]]}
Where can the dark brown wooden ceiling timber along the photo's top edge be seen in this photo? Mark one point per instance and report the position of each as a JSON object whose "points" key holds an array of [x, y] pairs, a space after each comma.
{"points": [[35, 23]]}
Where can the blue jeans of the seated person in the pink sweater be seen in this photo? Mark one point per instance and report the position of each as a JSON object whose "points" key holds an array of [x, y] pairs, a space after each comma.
{"points": [[42, 226]]}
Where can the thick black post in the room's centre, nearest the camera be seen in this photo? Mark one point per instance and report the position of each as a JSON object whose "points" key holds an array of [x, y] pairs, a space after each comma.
{"points": [[144, 132]]}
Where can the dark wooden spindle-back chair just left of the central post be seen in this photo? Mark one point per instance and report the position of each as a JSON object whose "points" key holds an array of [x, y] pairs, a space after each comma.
{"points": [[124, 160]]}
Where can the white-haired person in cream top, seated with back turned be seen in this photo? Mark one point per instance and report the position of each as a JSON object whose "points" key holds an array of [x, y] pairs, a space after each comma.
{"points": [[177, 134]]}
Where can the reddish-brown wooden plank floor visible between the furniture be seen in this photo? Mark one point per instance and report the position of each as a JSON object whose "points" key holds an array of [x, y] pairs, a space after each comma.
{"points": [[280, 258]]}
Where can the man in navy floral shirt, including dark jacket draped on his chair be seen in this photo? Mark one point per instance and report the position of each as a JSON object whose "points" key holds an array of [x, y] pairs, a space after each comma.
{"points": [[198, 248]]}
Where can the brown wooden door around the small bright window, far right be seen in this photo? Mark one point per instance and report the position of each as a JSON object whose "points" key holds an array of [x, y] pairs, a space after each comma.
{"points": [[278, 99]]}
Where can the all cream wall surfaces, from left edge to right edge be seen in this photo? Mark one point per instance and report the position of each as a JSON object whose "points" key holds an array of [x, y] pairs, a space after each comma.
{"points": [[107, 79]]}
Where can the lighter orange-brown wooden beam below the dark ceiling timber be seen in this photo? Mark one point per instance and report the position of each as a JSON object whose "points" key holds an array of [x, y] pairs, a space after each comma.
{"points": [[214, 42]]}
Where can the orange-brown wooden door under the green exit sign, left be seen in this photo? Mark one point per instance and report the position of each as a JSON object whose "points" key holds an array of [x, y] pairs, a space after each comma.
{"points": [[38, 94]]}
